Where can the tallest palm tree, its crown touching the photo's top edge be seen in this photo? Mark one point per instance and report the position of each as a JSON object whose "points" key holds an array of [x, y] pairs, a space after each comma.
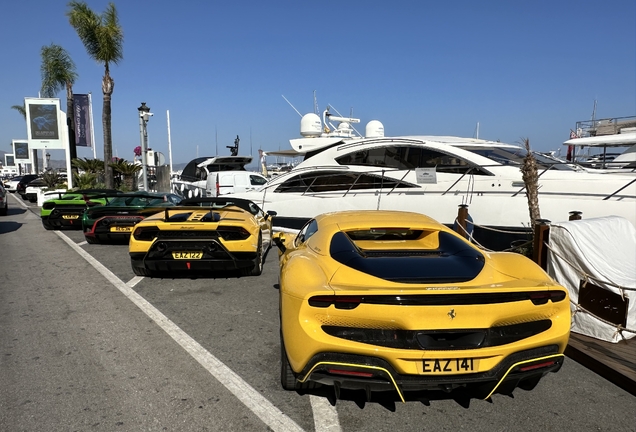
{"points": [[103, 39]]}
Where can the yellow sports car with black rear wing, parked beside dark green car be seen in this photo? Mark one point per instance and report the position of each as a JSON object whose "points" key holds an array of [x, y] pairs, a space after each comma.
{"points": [[202, 236]]}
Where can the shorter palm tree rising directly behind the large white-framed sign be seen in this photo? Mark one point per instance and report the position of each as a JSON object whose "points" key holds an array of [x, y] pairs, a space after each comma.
{"points": [[58, 72]]}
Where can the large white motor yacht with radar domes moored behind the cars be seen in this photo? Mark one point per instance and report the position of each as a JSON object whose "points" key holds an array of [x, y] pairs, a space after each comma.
{"points": [[433, 175]]}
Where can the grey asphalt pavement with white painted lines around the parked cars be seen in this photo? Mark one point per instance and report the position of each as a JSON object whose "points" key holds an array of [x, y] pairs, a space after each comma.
{"points": [[87, 345]]}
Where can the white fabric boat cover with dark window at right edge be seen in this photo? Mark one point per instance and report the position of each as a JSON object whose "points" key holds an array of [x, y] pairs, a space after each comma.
{"points": [[601, 251]]}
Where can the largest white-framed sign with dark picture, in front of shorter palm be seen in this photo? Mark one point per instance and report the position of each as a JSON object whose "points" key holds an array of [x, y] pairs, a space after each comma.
{"points": [[44, 124]]}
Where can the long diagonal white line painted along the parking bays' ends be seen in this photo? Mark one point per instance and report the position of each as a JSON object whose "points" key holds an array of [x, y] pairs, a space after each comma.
{"points": [[252, 399]]}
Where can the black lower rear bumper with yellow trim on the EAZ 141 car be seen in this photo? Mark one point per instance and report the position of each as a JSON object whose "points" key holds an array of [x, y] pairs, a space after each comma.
{"points": [[345, 371]]}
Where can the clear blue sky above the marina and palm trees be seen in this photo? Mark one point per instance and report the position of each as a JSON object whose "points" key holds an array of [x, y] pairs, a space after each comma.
{"points": [[519, 69]]}
